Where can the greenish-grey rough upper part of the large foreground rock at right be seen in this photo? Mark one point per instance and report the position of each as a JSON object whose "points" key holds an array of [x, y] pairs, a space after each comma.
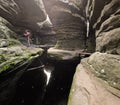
{"points": [[106, 67]]}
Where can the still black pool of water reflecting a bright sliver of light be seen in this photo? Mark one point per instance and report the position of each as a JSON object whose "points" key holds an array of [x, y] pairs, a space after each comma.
{"points": [[28, 85]]}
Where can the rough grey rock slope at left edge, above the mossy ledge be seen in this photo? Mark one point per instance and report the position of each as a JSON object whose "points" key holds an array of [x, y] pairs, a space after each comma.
{"points": [[7, 36]]}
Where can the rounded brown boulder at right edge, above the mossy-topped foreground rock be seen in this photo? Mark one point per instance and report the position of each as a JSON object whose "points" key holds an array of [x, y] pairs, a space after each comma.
{"points": [[109, 41]]}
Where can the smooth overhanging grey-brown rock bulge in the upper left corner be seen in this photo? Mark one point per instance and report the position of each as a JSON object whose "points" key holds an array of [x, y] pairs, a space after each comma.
{"points": [[20, 13]]}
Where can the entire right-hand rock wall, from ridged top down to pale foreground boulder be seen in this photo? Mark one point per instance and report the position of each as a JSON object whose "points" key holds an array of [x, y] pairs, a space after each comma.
{"points": [[96, 81]]}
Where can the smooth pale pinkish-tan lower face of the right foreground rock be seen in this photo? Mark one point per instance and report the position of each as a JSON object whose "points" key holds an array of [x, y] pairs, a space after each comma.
{"points": [[89, 90]]}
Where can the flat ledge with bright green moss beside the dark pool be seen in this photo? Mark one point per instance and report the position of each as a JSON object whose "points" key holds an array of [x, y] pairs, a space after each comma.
{"points": [[14, 55]]}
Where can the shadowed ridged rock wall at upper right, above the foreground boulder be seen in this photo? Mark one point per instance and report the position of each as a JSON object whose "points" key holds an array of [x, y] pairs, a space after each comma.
{"points": [[104, 22]]}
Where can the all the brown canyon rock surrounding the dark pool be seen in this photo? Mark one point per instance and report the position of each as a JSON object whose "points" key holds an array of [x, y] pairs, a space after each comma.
{"points": [[74, 27]]}
